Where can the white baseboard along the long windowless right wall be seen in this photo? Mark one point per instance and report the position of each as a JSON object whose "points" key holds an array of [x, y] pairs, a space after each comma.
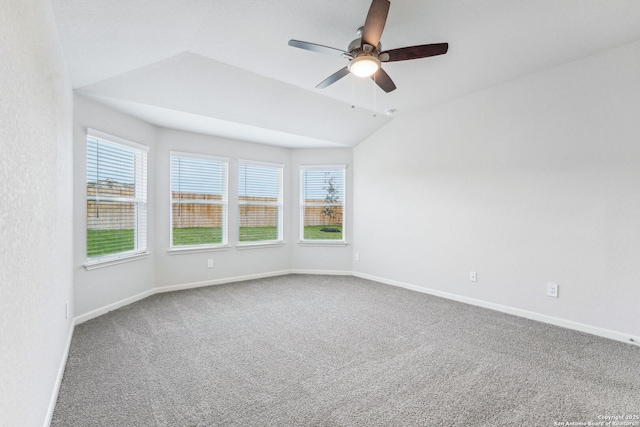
{"points": [[569, 324]]}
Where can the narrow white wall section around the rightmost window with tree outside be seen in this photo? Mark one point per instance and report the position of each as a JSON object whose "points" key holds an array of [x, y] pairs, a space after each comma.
{"points": [[321, 258]]}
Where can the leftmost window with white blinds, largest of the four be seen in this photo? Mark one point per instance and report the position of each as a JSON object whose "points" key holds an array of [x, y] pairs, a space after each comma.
{"points": [[116, 197]]}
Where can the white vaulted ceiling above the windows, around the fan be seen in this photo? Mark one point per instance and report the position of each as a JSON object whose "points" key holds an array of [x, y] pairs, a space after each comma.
{"points": [[224, 67]]}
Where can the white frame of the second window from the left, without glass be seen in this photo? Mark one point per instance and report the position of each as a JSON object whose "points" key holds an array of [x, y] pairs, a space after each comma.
{"points": [[224, 203]]}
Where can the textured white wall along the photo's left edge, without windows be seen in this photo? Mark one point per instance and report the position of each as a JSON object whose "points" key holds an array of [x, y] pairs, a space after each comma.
{"points": [[35, 205]]}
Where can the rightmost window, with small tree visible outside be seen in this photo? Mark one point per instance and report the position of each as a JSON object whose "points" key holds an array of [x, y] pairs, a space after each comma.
{"points": [[322, 203]]}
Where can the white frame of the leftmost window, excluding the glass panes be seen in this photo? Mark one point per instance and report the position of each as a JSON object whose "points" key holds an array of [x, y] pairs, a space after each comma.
{"points": [[140, 202]]}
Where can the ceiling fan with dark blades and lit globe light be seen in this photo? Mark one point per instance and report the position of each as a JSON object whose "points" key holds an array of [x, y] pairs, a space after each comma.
{"points": [[365, 53]]}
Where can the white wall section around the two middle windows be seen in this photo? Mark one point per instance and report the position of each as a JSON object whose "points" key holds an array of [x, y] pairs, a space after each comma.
{"points": [[189, 268]]}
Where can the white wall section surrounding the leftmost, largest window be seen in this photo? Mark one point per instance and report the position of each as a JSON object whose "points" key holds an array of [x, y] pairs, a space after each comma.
{"points": [[95, 289]]}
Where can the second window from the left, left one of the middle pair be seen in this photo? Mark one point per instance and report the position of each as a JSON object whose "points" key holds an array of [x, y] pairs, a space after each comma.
{"points": [[199, 201]]}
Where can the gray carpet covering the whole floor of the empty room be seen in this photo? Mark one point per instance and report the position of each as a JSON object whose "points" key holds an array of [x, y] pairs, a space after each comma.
{"points": [[336, 351]]}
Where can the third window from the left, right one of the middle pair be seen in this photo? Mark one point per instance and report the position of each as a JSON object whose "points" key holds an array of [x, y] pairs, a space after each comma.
{"points": [[260, 202]]}
